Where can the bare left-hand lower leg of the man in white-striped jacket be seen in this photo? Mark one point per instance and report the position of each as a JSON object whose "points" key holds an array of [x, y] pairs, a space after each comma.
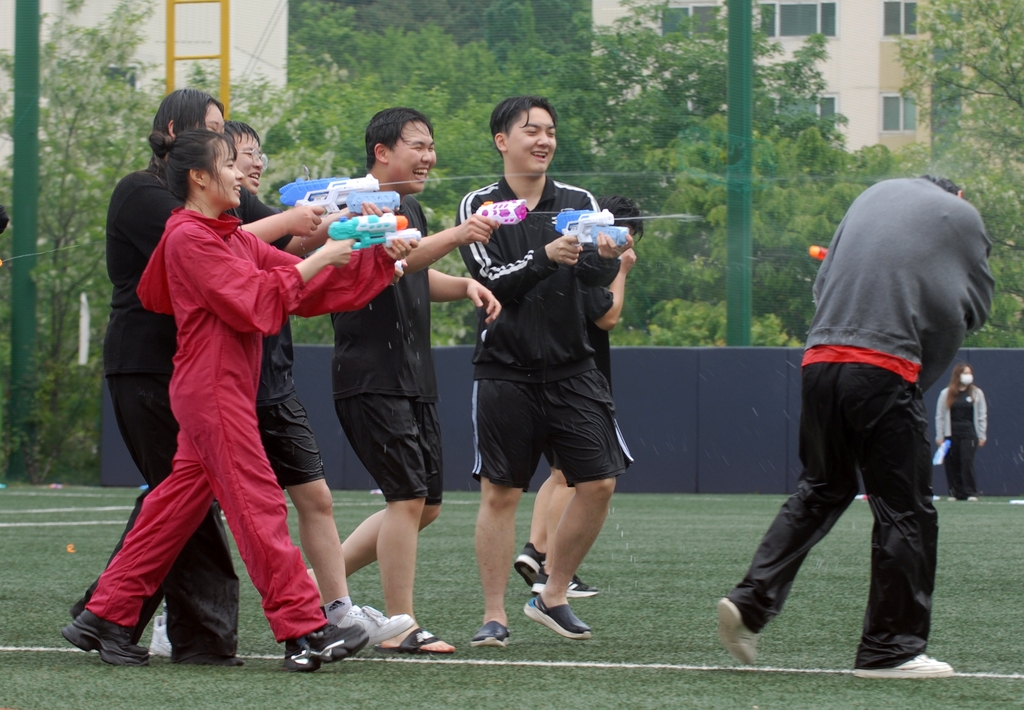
{"points": [[496, 546]]}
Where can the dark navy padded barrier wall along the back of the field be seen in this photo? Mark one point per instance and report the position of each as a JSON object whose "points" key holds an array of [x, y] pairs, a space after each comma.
{"points": [[697, 421]]}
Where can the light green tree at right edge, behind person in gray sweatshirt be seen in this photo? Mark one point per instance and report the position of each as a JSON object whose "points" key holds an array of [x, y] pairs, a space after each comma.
{"points": [[966, 65]]}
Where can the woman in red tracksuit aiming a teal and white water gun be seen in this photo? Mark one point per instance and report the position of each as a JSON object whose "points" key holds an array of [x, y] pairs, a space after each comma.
{"points": [[227, 289]]}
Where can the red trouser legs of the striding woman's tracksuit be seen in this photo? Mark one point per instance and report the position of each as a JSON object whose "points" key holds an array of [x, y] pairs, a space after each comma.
{"points": [[227, 463]]}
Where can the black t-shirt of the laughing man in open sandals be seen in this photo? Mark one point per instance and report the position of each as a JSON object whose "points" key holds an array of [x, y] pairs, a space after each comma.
{"points": [[386, 348]]}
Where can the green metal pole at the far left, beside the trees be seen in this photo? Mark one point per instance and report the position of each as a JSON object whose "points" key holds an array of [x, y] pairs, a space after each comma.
{"points": [[24, 221]]}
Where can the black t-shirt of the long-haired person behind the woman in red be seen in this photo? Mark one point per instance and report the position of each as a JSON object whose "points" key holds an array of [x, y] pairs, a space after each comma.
{"points": [[137, 341]]}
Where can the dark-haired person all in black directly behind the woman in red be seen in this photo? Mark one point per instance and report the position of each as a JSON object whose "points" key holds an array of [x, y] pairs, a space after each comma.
{"points": [[201, 590]]}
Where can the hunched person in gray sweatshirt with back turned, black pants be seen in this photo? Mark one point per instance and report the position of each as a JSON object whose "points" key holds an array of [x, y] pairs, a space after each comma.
{"points": [[906, 279]]}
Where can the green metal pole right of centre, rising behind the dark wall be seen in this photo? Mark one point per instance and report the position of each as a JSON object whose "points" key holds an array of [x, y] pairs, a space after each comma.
{"points": [[740, 204]]}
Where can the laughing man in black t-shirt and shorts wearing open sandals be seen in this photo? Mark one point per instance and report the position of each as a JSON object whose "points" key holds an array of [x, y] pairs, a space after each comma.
{"points": [[385, 386]]}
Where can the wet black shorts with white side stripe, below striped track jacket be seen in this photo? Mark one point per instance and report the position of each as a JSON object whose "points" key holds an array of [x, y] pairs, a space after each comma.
{"points": [[515, 423]]}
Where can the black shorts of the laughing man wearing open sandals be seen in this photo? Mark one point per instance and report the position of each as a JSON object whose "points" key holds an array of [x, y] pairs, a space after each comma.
{"points": [[399, 440]]}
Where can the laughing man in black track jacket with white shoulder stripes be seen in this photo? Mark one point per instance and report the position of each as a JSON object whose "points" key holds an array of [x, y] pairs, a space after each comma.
{"points": [[535, 371]]}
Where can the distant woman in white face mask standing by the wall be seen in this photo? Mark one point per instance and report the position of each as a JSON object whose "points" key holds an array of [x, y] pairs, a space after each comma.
{"points": [[962, 417]]}
